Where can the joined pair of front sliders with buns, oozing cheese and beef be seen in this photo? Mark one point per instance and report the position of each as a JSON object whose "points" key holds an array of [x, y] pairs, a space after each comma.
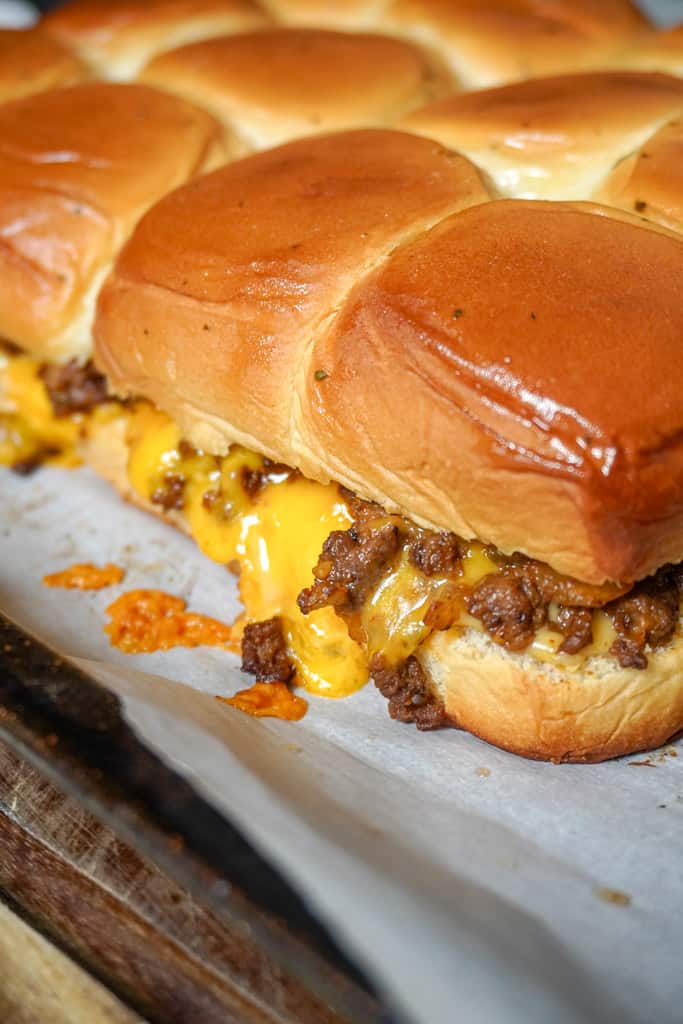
{"points": [[439, 435]]}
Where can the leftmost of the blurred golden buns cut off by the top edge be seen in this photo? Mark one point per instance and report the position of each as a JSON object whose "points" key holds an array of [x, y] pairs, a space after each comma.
{"points": [[118, 37]]}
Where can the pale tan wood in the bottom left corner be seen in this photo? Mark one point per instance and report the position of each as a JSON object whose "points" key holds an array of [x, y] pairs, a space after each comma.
{"points": [[39, 985]]}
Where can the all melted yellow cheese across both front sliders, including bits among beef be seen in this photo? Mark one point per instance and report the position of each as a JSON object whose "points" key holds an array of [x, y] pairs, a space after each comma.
{"points": [[277, 537]]}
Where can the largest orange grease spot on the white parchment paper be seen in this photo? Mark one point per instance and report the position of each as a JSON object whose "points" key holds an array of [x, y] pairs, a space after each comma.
{"points": [[144, 621]]}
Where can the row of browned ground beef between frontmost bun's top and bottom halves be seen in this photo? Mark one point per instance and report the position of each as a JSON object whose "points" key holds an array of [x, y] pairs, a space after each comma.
{"points": [[511, 604]]}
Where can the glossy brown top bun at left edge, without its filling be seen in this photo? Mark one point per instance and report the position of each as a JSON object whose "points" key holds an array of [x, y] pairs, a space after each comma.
{"points": [[78, 167]]}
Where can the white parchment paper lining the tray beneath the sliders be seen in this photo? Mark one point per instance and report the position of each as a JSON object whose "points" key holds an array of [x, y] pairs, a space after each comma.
{"points": [[476, 886]]}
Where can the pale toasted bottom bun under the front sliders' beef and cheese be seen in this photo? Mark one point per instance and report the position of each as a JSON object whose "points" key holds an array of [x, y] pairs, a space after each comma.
{"points": [[516, 702]]}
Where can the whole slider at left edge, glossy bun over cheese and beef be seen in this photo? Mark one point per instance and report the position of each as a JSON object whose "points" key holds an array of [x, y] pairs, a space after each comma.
{"points": [[78, 167]]}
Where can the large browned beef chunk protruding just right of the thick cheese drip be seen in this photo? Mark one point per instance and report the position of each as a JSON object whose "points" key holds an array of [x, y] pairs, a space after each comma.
{"points": [[350, 567]]}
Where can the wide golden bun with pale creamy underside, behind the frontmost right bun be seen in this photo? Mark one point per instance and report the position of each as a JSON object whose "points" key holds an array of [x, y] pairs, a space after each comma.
{"points": [[558, 138]]}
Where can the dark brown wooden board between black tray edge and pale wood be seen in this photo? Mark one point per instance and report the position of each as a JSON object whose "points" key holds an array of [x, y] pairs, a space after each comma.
{"points": [[130, 924]]}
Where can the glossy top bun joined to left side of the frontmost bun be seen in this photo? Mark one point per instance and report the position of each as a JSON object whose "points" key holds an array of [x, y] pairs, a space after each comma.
{"points": [[225, 288]]}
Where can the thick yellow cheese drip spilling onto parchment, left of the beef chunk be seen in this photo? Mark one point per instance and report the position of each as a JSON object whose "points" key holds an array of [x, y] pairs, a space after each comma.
{"points": [[277, 538]]}
